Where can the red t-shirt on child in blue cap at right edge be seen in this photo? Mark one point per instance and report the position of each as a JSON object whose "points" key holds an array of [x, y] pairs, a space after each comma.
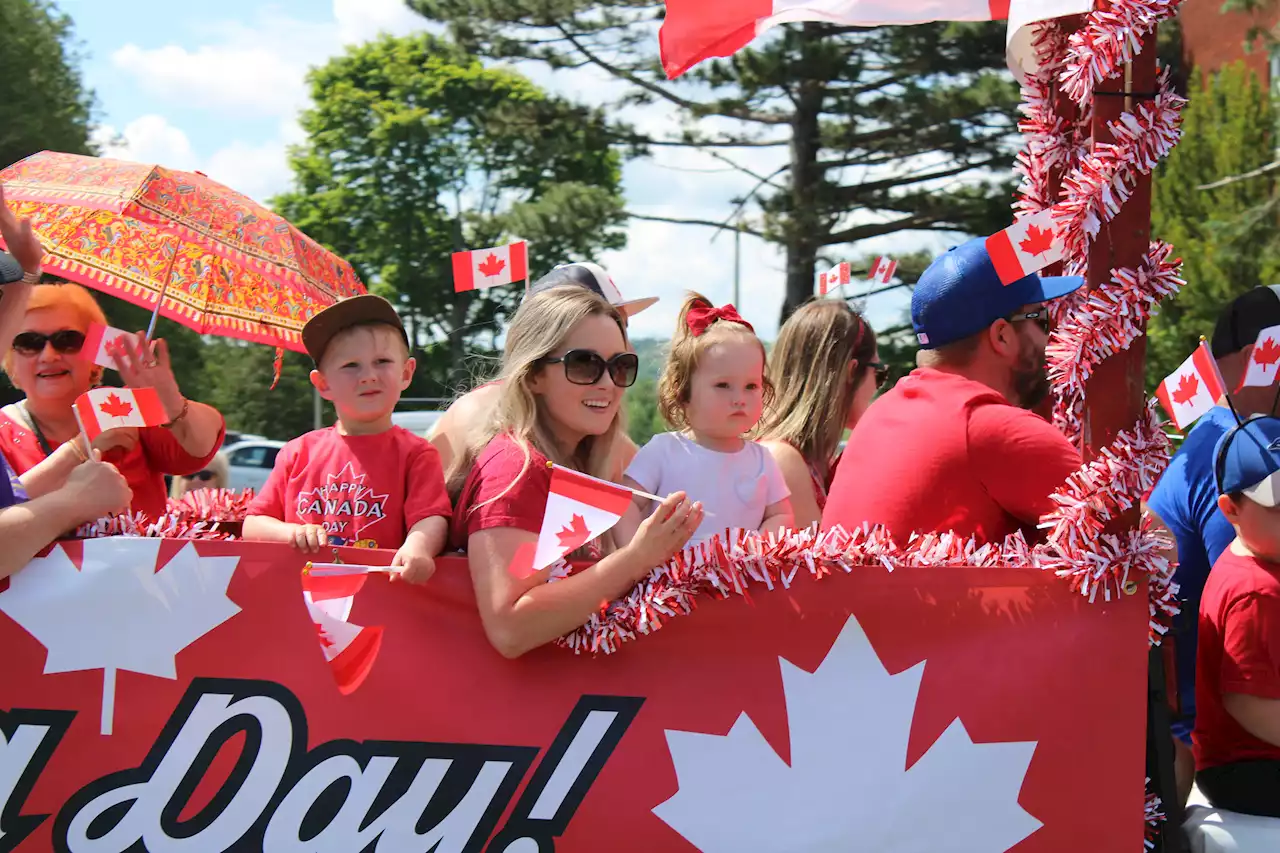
{"points": [[1238, 653]]}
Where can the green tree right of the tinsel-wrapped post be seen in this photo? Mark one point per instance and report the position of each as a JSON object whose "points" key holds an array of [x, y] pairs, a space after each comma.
{"points": [[1227, 235]]}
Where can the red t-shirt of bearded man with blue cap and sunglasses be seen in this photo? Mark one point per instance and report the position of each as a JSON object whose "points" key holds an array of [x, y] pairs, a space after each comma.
{"points": [[944, 453]]}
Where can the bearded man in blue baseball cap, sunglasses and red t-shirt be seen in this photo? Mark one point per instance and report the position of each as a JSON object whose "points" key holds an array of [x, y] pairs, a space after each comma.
{"points": [[954, 446]]}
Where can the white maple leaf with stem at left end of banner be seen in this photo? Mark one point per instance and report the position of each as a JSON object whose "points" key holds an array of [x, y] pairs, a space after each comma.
{"points": [[117, 612]]}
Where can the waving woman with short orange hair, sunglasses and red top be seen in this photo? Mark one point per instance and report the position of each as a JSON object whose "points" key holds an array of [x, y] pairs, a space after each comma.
{"points": [[40, 435]]}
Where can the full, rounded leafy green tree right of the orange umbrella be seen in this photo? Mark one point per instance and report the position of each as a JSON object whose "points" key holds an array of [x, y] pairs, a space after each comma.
{"points": [[417, 150]]}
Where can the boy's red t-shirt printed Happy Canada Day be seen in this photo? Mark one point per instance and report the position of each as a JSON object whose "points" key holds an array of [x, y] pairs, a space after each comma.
{"points": [[367, 490]]}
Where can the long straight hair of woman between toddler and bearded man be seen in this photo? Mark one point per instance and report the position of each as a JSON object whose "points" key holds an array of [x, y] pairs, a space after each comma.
{"points": [[811, 361]]}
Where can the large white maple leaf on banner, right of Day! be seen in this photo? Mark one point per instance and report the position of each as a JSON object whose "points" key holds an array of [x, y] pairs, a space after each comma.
{"points": [[848, 787]]}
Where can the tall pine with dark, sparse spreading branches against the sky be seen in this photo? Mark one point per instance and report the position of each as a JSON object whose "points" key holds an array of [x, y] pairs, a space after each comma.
{"points": [[885, 130]]}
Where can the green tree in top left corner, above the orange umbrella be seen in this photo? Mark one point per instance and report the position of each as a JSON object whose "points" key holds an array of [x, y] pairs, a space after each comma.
{"points": [[47, 104]]}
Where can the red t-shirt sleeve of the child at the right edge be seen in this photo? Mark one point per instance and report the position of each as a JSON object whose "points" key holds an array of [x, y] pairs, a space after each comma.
{"points": [[1251, 647]]}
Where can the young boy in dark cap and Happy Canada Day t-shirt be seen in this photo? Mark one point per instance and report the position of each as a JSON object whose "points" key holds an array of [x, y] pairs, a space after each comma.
{"points": [[364, 481]]}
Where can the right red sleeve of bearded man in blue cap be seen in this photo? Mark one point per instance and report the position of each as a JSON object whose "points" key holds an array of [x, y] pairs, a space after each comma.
{"points": [[1021, 459]]}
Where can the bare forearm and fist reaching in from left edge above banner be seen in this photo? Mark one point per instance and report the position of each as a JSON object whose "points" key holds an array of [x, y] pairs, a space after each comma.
{"points": [[94, 490]]}
